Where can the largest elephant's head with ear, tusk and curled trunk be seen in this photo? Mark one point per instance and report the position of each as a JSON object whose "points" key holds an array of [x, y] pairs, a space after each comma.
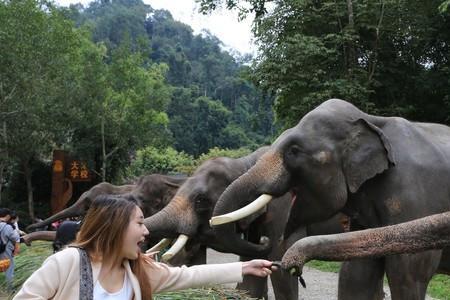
{"points": [[323, 160]]}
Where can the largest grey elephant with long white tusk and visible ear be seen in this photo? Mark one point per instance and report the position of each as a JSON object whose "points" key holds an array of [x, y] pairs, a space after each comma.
{"points": [[380, 170]]}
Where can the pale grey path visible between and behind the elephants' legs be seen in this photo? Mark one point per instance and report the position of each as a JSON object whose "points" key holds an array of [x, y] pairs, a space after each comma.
{"points": [[320, 285]]}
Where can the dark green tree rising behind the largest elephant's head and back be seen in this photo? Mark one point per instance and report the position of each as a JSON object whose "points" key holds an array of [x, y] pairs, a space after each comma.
{"points": [[387, 57]]}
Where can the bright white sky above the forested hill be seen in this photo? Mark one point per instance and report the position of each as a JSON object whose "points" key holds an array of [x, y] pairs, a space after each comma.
{"points": [[222, 23]]}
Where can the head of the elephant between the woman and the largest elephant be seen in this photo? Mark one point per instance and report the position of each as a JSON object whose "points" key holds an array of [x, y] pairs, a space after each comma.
{"points": [[187, 214]]}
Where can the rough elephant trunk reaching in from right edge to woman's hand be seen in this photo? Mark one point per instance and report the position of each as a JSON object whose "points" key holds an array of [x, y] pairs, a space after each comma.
{"points": [[432, 232]]}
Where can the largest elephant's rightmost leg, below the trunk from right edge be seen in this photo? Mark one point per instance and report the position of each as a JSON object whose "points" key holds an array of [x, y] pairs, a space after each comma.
{"points": [[409, 274]]}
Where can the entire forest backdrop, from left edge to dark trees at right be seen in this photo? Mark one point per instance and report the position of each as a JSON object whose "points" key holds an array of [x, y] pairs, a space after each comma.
{"points": [[117, 83]]}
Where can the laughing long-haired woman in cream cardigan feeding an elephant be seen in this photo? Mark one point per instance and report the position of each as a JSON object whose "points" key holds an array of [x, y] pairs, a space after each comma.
{"points": [[105, 262]]}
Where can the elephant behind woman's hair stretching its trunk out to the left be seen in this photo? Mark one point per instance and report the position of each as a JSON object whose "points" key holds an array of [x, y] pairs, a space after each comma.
{"points": [[152, 191]]}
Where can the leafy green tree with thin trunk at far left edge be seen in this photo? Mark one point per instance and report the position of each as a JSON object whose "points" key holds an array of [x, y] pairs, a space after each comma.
{"points": [[38, 58]]}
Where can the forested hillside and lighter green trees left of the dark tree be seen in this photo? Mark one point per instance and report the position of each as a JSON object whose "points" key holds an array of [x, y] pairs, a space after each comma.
{"points": [[106, 80]]}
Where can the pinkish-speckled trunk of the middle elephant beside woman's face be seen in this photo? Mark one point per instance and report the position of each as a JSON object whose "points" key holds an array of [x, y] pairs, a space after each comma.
{"points": [[176, 218]]}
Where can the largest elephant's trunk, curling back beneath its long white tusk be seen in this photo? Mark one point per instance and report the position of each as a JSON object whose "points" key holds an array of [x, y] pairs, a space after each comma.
{"points": [[241, 192]]}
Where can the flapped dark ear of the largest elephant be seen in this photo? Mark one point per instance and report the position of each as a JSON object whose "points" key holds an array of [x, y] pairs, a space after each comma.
{"points": [[367, 153]]}
